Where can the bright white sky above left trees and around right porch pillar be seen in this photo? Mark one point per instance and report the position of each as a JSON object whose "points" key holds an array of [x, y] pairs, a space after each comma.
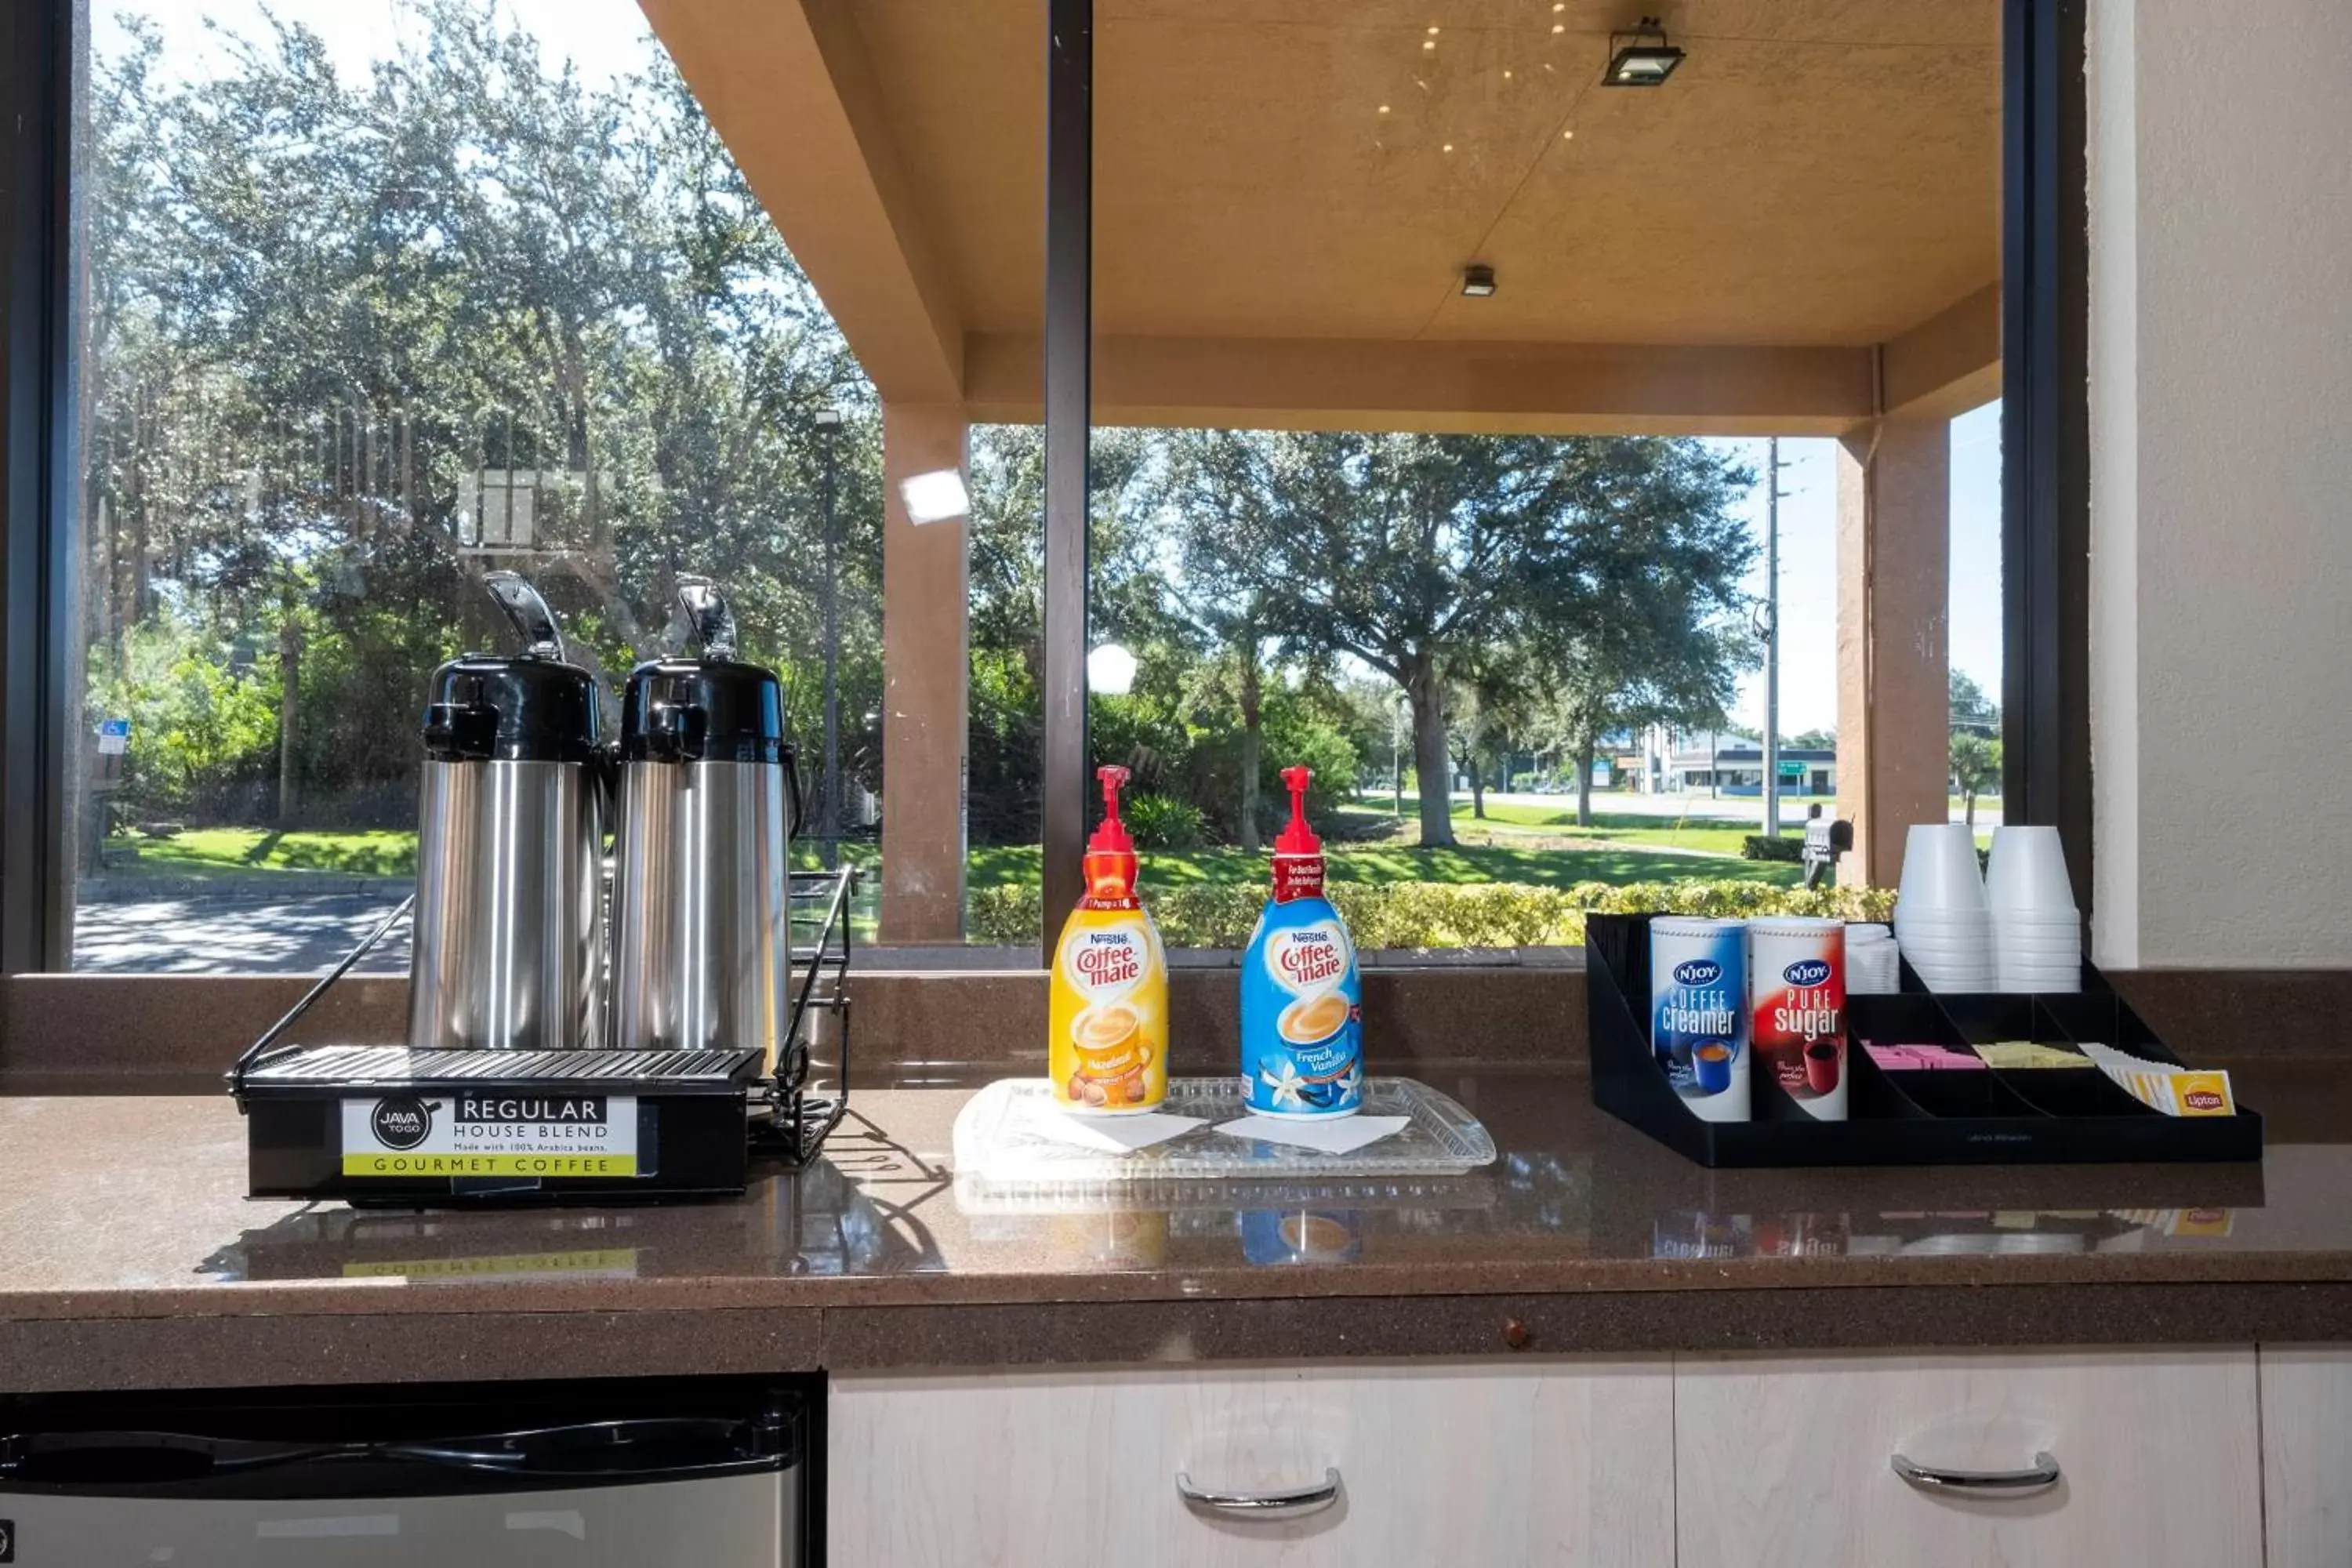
{"points": [[608, 39]]}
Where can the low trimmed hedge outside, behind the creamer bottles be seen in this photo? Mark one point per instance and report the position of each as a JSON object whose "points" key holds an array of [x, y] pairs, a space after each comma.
{"points": [[1438, 913]]}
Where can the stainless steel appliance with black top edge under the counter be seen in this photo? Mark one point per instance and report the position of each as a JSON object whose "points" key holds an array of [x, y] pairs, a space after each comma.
{"points": [[347, 1480]]}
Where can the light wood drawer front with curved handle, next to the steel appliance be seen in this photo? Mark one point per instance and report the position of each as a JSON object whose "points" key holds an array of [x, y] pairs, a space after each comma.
{"points": [[1525, 1461]]}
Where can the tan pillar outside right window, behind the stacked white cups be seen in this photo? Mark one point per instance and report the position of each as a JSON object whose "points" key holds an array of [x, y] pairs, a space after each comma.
{"points": [[1895, 582]]}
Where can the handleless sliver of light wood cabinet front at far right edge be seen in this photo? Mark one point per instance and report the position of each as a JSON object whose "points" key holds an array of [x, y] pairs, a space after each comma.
{"points": [[2308, 1456]]}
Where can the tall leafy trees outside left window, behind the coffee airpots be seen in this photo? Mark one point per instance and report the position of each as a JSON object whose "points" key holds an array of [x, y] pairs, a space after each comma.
{"points": [[323, 307]]}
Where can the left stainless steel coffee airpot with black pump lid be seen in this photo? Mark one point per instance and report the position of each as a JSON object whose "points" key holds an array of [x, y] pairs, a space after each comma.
{"points": [[509, 855]]}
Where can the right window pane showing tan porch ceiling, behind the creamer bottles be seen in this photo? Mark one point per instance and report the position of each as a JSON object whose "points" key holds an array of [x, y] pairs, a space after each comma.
{"points": [[1563, 471]]}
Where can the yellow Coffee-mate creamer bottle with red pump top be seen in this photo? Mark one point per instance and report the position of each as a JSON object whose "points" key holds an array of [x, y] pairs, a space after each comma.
{"points": [[1111, 984]]}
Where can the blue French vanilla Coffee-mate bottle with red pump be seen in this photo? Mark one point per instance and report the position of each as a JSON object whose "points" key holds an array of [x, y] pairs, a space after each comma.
{"points": [[1302, 1000]]}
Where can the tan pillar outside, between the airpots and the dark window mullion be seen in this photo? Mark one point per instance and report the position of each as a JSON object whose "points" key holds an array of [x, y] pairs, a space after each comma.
{"points": [[926, 685]]}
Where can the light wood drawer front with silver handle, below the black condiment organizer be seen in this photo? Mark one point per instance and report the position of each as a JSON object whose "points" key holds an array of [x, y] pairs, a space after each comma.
{"points": [[1786, 1463]]}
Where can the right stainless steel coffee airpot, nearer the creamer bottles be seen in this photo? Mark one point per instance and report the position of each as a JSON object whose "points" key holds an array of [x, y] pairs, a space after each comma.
{"points": [[702, 887]]}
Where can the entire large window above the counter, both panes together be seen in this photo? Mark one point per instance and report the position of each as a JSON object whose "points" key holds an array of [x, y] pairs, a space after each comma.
{"points": [[1589, 481]]}
